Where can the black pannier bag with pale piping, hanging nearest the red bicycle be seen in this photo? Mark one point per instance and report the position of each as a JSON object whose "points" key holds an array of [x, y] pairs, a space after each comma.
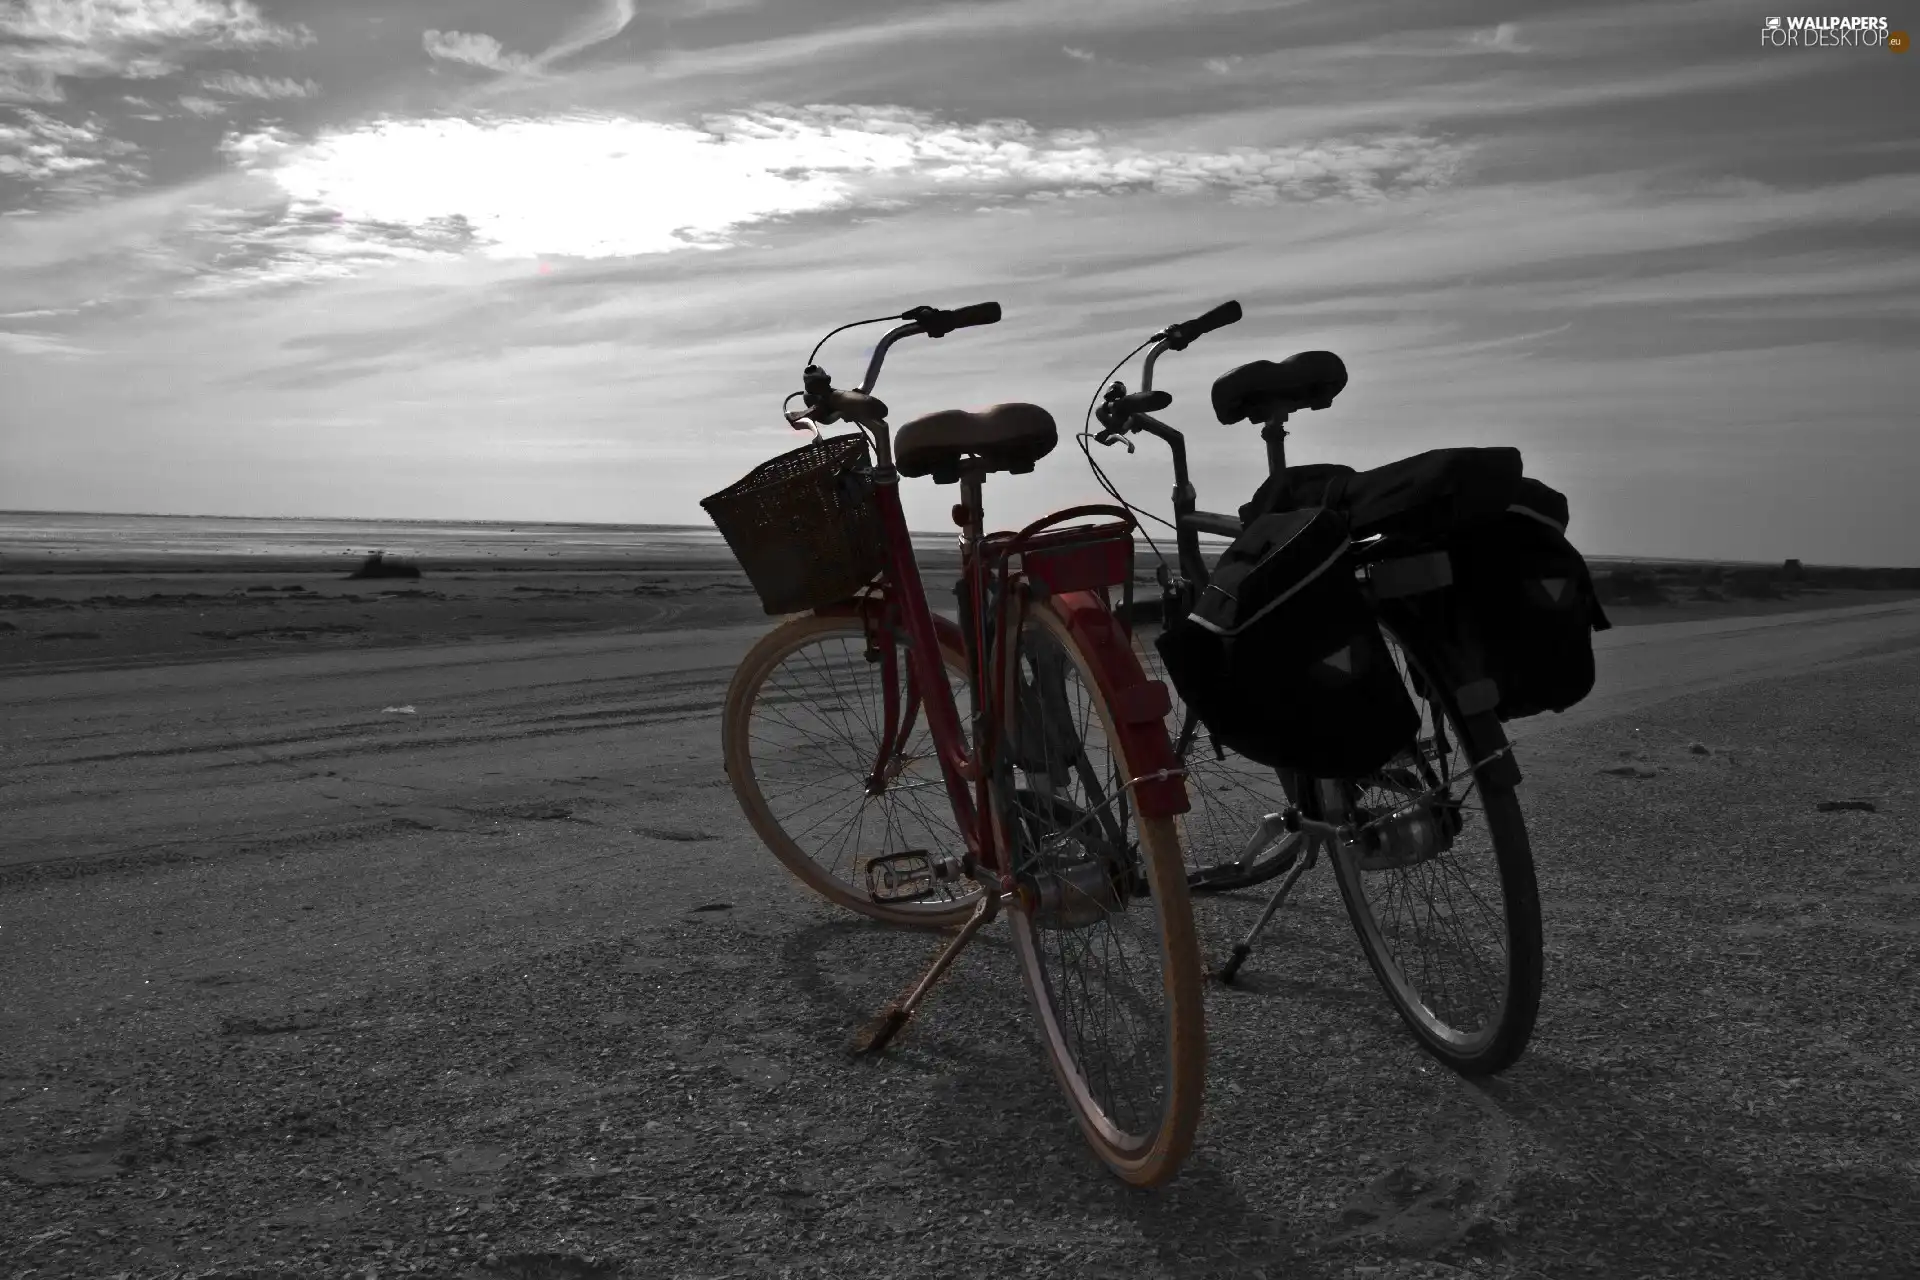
{"points": [[1282, 657]]}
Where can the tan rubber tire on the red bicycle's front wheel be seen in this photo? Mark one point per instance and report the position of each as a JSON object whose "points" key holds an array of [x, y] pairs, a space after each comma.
{"points": [[736, 746]]}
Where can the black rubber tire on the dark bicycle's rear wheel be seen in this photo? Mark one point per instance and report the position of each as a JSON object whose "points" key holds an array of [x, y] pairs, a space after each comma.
{"points": [[1500, 1045]]}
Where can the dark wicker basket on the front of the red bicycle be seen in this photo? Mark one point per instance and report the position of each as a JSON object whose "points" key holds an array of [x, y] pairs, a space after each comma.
{"points": [[805, 525]]}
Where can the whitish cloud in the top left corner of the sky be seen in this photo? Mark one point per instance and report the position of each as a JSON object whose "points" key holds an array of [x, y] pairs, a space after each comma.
{"points": [[47, 41]]}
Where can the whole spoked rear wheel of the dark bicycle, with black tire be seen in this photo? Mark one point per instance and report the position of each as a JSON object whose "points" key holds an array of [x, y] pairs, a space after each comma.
{"points": [[1452, 932]]}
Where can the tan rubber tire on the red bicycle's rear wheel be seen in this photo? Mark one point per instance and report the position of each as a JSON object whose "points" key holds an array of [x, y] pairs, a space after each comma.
{"points": [[1151, 1154]]}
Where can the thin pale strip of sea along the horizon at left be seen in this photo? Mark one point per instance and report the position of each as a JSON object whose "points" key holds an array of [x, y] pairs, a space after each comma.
{"points": [[91, 536]]}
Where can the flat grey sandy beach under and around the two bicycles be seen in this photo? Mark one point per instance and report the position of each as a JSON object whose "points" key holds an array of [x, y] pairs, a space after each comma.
{"points": [[441, 947]]}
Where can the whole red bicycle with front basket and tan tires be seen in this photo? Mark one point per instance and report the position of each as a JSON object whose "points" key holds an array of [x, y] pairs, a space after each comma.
{"points": [[1055, 801]]}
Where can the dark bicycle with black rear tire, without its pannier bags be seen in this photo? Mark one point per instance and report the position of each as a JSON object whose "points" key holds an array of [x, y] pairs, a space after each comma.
{"points": [[1431, 851]]}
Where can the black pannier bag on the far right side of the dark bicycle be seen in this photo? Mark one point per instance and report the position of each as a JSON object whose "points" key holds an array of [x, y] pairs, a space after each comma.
{"points": [[1529, 604]]}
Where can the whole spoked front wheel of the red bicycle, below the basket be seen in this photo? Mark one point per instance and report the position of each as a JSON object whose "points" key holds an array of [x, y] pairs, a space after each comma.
{"points": [[802, 736]]}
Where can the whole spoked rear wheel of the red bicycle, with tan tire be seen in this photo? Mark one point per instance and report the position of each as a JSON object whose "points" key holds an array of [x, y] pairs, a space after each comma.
{"points": [[1101, 918]]}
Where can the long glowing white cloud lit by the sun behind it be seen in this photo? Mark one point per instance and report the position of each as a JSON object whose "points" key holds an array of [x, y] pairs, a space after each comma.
{"points": [[610, 187]]}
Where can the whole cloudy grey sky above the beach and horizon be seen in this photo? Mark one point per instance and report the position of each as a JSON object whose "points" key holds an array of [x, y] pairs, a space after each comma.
{"points": [[491, 260]]}
